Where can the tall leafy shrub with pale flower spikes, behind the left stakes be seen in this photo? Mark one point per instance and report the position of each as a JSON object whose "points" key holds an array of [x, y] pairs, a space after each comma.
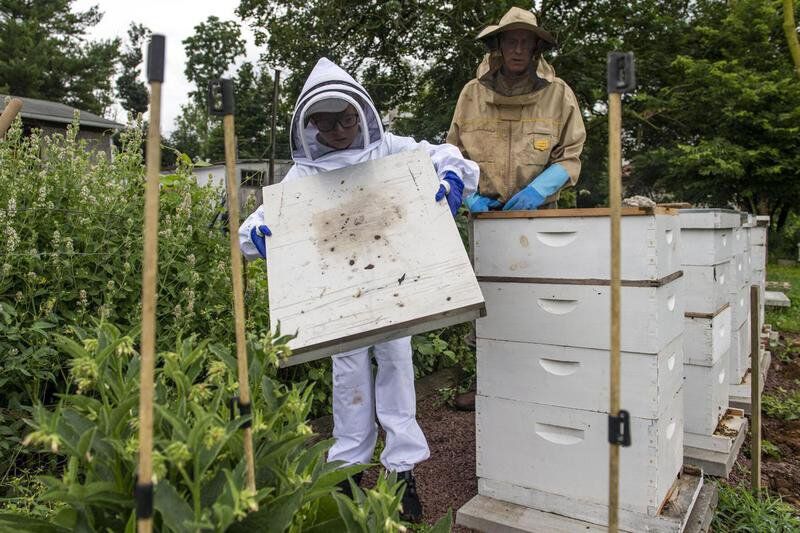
{"points": [[72, 246]]}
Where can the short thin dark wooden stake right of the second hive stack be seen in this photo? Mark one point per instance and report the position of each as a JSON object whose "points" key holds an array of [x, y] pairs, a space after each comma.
{"points": [[755, 390]]}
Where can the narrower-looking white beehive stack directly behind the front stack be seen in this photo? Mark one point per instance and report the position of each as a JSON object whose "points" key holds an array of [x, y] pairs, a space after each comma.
{"points": [[707, 253]]}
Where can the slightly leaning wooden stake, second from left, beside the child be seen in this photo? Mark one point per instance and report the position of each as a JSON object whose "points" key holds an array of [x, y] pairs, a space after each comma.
{"points": [[227, 111]]}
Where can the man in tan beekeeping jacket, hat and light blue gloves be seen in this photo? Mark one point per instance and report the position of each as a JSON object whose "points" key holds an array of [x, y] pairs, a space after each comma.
{"points": [[520, 123]]}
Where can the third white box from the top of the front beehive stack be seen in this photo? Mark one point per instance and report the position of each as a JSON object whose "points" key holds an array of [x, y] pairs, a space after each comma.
{"points": [[578, 377]]}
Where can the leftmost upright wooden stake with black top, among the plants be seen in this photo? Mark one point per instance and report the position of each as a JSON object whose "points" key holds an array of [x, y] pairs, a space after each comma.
{"points": [[144, 493]]}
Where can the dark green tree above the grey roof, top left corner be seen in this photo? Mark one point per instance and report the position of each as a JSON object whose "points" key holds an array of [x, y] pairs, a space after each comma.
{"points": [[44, 54]]}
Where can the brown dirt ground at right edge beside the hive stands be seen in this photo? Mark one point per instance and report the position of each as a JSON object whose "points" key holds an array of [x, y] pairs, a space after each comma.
{"points": [[780, 474]]}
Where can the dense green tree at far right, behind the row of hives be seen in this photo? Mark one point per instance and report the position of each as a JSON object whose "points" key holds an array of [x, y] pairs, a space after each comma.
{"points": [[724, 126]]}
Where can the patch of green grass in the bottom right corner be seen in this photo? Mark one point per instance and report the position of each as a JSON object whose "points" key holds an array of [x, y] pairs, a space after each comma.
{"points": [[740, 510]]}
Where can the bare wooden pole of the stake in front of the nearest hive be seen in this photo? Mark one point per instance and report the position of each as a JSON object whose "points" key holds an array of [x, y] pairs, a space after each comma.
{"points": [[615, 204]]}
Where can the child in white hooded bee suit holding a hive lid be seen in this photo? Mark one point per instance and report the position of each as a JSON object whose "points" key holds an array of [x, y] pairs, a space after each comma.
{"points": [[335, 125]]}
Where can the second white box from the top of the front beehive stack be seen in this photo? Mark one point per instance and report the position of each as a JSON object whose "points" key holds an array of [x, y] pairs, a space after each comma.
{"points": [[578, 315]]}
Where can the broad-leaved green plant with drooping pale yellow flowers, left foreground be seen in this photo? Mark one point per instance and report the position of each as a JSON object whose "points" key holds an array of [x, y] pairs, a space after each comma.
{"points": [[198, 462]]}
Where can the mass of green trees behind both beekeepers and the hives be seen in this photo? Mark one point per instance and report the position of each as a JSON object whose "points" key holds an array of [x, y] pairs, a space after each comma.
{"points": [[713, 120]]}
